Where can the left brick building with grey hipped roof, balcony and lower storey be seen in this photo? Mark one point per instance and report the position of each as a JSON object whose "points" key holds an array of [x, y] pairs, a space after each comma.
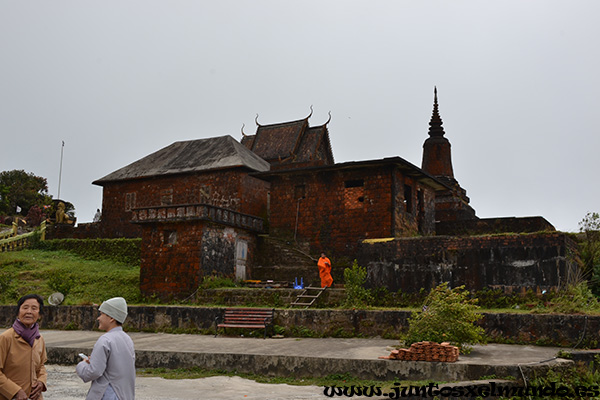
{"points": [[196, 207]]}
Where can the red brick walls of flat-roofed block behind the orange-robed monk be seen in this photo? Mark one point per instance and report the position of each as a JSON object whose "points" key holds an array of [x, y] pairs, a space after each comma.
{"points": [[341, 207]]}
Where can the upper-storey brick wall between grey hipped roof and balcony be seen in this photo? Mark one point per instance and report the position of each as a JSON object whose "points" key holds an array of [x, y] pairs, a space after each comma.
{"points": [[232, 189]]}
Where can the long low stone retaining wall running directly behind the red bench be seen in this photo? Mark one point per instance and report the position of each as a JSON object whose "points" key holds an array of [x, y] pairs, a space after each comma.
{"points": [[541, 329]]}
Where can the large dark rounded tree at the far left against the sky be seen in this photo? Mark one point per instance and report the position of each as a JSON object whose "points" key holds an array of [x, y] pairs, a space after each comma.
{"points": [[21, 189]]}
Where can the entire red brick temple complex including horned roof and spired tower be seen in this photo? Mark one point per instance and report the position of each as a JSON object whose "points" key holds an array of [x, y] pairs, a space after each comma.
{"points": [[200, 205]]}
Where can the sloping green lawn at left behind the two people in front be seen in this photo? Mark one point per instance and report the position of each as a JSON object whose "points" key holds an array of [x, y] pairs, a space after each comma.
{"points": [[81, 281]]}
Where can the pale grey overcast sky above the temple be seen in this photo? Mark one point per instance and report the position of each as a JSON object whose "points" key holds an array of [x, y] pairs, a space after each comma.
{"points": [[518, 86]]}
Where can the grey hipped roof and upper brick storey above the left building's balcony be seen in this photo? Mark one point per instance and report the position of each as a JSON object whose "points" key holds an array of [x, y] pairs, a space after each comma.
{"points": [[211, 171]]}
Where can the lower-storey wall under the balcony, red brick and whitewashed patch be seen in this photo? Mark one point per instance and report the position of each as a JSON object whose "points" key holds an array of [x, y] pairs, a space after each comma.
{"points": [[176, 256]]}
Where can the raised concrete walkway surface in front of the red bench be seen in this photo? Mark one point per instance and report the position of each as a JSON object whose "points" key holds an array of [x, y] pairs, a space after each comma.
{"points": [[326, 348]]}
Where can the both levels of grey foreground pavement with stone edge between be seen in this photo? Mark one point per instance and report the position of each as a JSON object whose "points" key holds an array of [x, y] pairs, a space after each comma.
{"points": [[293, 356]]}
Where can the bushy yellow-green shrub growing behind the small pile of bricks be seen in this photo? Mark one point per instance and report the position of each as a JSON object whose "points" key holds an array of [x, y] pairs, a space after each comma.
{"points": [[448, 315]]}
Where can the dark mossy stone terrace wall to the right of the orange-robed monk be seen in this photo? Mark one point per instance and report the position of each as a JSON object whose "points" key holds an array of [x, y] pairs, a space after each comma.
{"points": [[519, 262]]}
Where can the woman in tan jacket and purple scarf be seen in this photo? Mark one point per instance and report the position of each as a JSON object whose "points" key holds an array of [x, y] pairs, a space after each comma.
{"points": [[23, 353]]}
